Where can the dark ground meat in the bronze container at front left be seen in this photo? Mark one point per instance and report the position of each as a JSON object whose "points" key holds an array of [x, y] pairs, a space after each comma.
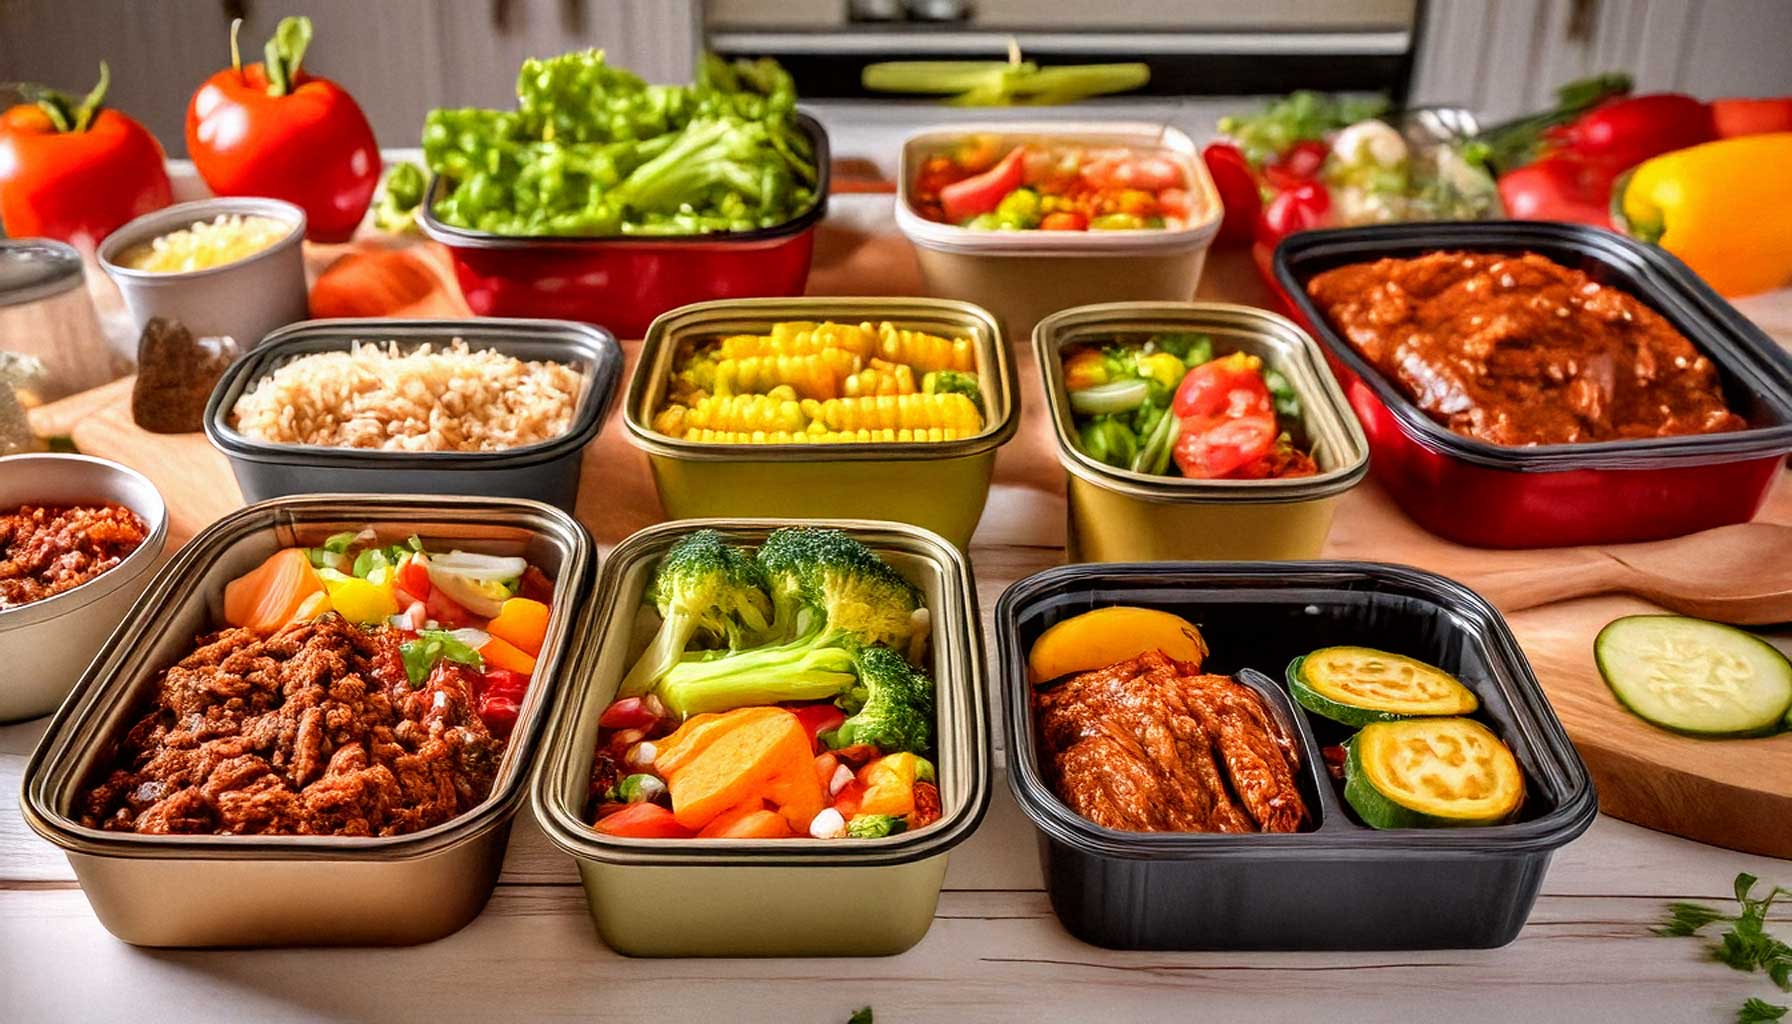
{"points": [[309, 733]]}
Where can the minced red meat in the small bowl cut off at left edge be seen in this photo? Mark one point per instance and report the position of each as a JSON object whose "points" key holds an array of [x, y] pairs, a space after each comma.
{"points": [[49, 550]]}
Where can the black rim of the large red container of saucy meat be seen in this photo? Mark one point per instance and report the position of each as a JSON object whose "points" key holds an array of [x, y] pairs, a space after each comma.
{"points": [[1682, 297]]}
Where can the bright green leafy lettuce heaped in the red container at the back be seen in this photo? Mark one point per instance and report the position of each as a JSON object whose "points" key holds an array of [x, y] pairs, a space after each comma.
{"points": [[594, 150]]}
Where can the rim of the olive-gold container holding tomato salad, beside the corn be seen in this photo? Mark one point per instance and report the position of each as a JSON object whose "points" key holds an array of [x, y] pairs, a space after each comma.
{"points": [[1325, 412]]}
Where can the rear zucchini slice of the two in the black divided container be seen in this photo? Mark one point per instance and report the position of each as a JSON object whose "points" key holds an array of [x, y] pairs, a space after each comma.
{"points": [[1361, 686]]}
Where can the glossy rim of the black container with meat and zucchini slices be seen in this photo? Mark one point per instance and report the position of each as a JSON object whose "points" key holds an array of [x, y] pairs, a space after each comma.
{"points": [[1572, 815]]}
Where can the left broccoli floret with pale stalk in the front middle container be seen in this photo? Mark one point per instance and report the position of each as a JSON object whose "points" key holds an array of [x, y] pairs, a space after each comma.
{"points": [[705, 591]]}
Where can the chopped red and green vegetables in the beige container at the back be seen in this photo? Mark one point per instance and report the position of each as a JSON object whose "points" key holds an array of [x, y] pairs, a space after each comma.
{"points": [[1053, 187]]}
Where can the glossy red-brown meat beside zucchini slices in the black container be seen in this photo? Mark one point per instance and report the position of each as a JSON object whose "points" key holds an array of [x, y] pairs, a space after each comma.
{"points": [[1153, 747]]}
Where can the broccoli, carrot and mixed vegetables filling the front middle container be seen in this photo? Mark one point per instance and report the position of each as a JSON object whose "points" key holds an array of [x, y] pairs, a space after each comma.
{"points": [[780, 697]]}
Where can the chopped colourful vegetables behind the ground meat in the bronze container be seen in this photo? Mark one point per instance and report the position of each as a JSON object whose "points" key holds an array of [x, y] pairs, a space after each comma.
{"points": [[485, 612]]}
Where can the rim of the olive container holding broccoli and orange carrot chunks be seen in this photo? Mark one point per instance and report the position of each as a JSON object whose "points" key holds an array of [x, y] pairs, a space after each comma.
{"points": [[585, 844]]}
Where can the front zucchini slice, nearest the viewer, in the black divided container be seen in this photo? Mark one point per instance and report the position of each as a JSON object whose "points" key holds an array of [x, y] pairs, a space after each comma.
{"points": [[1431, 774]]}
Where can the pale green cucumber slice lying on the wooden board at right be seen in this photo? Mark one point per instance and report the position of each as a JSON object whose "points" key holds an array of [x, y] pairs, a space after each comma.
{"points": [[1696, 677]]}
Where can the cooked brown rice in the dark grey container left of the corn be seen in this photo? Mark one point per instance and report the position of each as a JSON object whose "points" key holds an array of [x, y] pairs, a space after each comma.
{"points": [[429, 399]]}
